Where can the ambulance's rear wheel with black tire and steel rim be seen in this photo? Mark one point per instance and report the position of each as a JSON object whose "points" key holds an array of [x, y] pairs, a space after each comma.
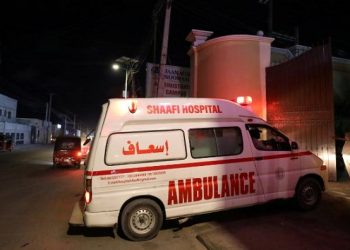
{"points": [[141, 219]]}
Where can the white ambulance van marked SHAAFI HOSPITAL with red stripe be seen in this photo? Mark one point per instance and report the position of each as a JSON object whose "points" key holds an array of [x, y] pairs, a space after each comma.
{"points": [[163, 158]]}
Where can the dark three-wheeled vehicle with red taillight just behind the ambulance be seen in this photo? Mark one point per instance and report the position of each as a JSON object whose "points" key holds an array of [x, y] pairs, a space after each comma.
{"points": [[67, 151]]}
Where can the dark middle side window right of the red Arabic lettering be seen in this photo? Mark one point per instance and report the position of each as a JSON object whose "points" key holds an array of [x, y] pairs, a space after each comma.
{"points": [[211, 142]]}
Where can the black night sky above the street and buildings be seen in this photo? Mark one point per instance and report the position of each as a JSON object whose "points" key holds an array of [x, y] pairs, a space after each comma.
{"points": [[67, 47]]}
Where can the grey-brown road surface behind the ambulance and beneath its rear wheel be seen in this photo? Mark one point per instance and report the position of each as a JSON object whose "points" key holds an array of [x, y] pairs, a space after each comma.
{"points": [[36, 204]]}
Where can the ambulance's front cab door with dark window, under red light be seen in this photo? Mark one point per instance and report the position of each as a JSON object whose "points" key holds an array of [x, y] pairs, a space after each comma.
{"points": [[277, 166]]}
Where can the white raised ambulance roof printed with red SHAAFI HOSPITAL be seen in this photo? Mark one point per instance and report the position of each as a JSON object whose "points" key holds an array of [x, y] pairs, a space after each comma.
{"points": [[138, 110]]}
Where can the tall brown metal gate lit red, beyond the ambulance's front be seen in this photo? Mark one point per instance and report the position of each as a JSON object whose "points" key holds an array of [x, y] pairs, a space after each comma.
{"points": [[299, 96]]}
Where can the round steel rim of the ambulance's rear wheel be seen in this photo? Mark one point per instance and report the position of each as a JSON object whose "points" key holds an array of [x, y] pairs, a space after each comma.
{"points": [[142, 221]]}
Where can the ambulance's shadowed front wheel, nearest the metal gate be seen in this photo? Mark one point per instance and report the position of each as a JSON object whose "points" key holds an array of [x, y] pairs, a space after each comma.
{"points": [[308, 194]]}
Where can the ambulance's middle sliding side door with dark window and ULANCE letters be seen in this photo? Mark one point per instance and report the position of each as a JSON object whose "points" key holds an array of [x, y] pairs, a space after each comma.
{"points": [[228, 174]]}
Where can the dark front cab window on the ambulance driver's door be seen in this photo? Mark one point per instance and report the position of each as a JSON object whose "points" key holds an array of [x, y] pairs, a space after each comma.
{"points": [[268, 139]]}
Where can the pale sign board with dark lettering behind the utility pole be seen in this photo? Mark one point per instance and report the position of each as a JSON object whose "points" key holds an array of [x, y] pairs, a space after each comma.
{"points": [[176, 81]]}
